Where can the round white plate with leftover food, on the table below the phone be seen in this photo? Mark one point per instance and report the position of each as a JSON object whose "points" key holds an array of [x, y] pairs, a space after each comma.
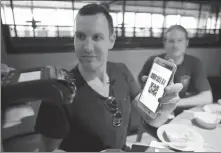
{"points": [[180, 129]]}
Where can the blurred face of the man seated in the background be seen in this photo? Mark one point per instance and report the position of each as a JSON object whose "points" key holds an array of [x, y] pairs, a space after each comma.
{"points": [[176, 43]]}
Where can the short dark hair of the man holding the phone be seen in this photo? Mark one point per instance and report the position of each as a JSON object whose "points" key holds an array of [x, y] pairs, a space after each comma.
{"points": [[93, 9]]}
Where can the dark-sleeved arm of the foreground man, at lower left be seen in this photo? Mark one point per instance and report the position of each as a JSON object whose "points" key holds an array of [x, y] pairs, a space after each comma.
{"points": [[53, 126]]}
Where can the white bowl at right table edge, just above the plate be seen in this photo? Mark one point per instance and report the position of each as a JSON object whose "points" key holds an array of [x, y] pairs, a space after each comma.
{"points": [[207, 120]]}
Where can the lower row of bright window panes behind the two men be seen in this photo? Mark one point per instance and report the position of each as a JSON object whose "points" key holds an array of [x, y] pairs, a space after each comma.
{"points": [[68, 31]]}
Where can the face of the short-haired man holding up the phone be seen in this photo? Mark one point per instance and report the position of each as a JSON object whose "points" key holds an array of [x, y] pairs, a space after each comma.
{"points": [[92, 40]]}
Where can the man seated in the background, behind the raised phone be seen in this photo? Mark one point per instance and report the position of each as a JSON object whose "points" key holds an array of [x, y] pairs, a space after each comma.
{"points": [[190, 72]]}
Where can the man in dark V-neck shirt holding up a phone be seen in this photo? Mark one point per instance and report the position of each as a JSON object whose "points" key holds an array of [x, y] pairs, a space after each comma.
{"points": [[99, 115]]}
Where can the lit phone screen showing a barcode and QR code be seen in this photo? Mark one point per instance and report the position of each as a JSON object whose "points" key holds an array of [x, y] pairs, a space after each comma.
{"points": [[154, 88]]}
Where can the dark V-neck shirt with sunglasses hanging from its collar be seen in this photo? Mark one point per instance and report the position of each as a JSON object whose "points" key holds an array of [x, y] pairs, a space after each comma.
{"points": [[91, 127]]}
